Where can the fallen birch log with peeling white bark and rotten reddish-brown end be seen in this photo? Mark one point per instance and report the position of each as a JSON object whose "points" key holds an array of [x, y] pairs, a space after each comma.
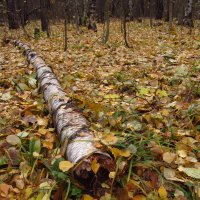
{"points": [[71, 127]]}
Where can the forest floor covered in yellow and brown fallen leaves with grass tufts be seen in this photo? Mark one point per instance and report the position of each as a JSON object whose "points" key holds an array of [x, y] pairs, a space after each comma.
{"points": [[143, 101]]}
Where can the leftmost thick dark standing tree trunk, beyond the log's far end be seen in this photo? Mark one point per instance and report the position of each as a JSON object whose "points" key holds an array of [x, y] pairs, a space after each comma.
{"points": [[12, 14]]}
